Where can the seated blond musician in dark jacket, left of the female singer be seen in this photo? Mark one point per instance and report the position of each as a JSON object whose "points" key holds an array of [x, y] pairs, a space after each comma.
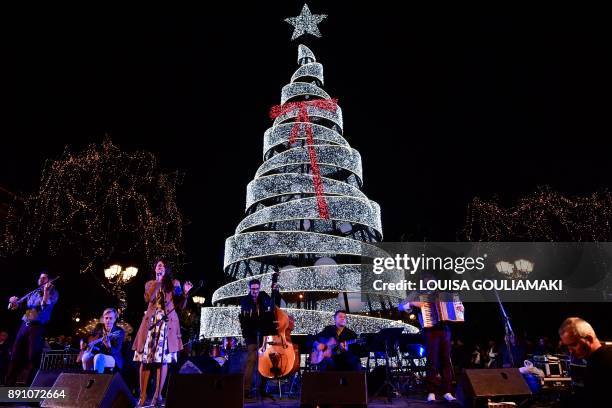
{"points": [[103, 348]]}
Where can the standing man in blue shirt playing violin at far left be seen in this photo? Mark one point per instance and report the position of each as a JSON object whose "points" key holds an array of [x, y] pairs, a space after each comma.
{"points": [[29, 341]]}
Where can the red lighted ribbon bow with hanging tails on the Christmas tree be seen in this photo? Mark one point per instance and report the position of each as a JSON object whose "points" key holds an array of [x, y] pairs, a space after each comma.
{"points": [[303, 118]]}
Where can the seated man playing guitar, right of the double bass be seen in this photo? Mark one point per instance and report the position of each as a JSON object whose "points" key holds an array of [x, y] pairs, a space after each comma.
{"points": [[331, 345]]}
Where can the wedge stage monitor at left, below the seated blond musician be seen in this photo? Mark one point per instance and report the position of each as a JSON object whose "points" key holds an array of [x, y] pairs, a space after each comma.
{"points": [[91, 390]]}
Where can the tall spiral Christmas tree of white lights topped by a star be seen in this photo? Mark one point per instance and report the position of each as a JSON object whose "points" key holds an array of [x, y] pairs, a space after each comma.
{"points": [[306, 214]]}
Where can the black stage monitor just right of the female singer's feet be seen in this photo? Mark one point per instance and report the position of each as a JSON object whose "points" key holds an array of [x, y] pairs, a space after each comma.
{"points": [[206, 390]]}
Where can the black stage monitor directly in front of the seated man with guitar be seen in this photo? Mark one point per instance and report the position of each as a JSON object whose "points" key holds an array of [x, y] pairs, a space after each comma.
{"points": [[334, 388]]}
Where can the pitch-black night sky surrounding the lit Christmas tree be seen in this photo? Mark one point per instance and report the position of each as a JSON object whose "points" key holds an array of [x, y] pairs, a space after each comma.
{"points": [[443, 104]]}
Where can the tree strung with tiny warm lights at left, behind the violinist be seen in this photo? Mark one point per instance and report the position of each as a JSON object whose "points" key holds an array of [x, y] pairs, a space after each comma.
{"points": [[95, 204]]}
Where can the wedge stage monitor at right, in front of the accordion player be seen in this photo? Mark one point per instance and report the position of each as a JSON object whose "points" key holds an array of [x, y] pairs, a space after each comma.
{"points": [[479, 385]]}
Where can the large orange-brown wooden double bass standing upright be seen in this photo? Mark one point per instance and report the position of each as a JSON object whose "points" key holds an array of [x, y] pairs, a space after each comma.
{"points": [[278, 356]]}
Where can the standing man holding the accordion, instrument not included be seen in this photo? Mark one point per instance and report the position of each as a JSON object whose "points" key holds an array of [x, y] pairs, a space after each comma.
{"points": [[437, 348]]}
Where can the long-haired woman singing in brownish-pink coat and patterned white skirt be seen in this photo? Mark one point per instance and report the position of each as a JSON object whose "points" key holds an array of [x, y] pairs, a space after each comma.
{"points": [[159, 337]]}
